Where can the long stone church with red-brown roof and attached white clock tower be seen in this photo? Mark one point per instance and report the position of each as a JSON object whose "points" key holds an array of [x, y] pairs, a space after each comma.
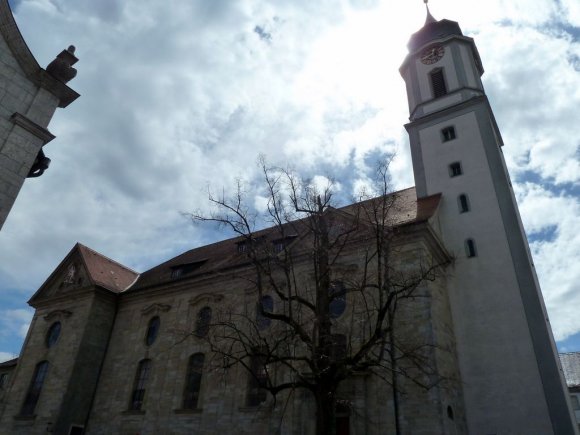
{"points": [[114, 351]]}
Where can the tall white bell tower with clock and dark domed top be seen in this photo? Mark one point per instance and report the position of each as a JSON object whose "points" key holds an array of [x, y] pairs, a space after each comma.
{"points": [[512, 380]]}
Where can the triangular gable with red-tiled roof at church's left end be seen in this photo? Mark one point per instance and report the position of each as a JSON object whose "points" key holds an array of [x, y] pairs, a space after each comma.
{"points": [[82, 268]]}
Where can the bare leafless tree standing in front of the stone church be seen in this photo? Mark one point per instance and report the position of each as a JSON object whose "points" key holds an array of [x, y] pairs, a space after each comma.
{"points": [[339, 280]]}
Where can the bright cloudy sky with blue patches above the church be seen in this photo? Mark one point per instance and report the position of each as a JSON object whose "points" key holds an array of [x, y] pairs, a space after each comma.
{"points": [[181, 94]]}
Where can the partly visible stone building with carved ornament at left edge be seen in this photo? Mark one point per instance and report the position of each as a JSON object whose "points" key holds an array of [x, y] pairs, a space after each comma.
{"points": [[29, 96]]}
